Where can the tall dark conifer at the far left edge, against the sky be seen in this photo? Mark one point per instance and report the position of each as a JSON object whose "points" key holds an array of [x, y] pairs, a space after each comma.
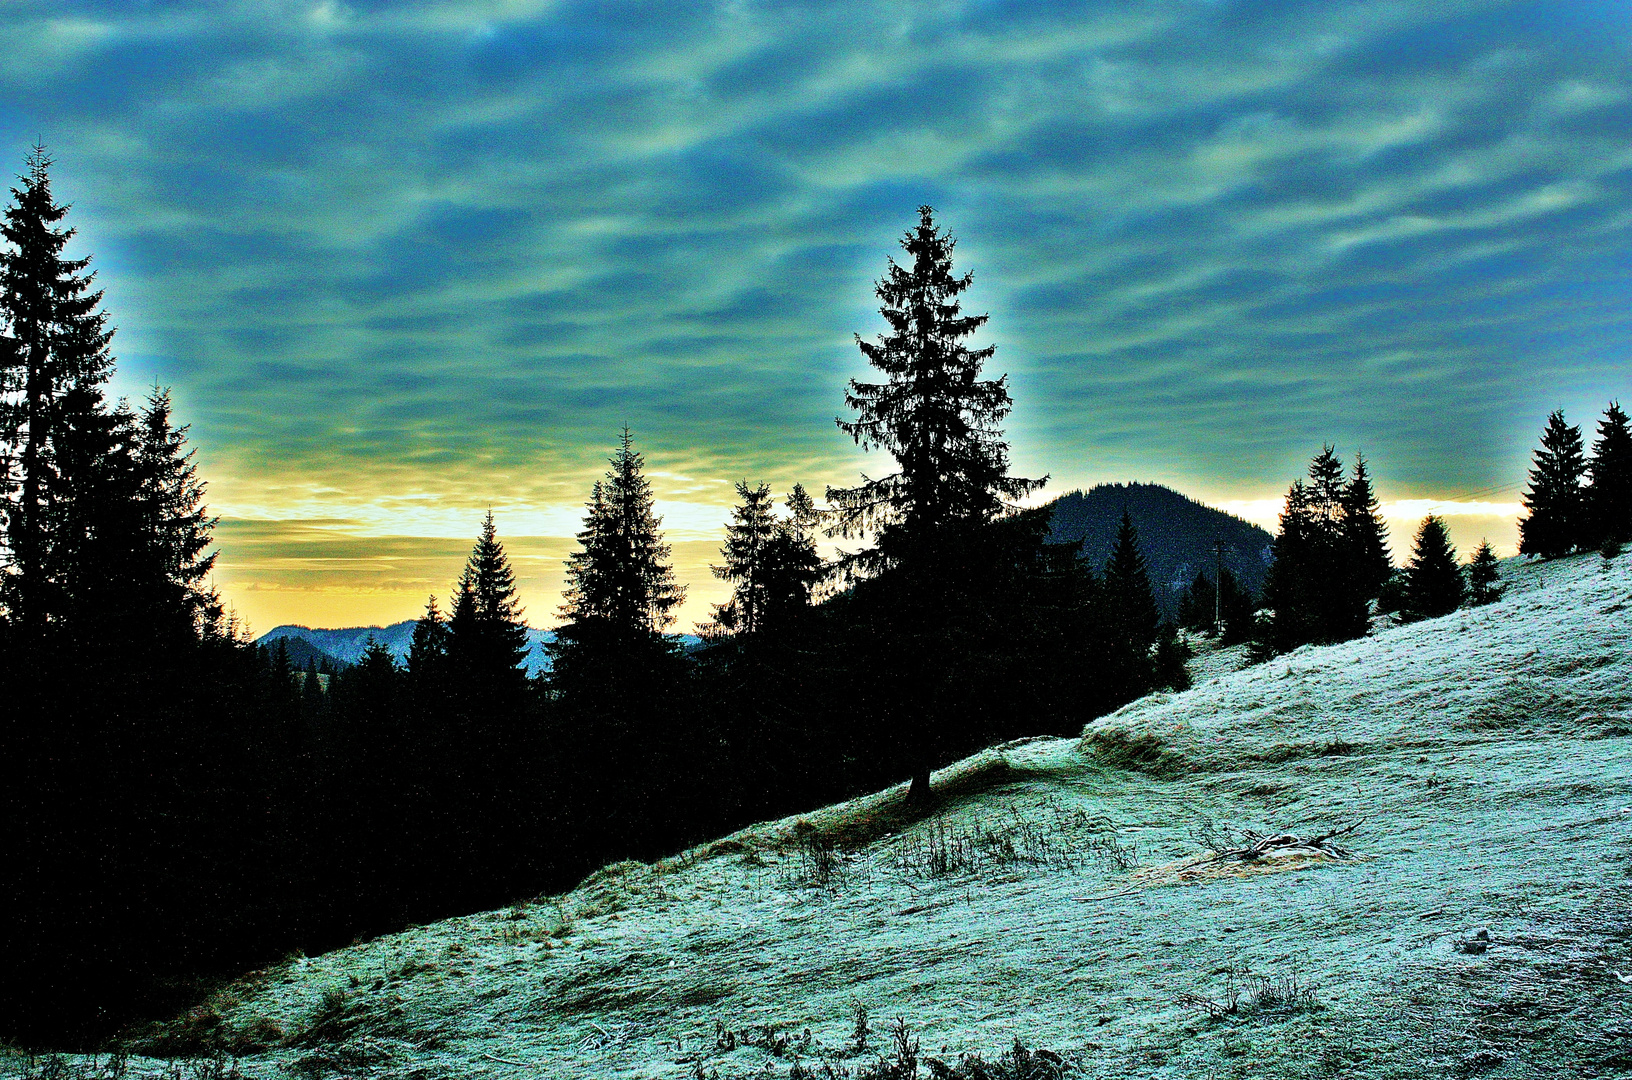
{"points": [[56, 342]]}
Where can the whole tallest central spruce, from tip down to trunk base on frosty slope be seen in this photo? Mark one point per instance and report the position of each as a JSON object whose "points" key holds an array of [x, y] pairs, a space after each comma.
{"points": [[942, 423]]}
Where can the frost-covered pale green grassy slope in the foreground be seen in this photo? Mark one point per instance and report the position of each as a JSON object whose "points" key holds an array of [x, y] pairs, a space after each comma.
{"points": [[1486, 756]]}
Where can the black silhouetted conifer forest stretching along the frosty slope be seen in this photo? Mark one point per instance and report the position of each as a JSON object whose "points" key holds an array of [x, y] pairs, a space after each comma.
{"points": [[182, 805]]}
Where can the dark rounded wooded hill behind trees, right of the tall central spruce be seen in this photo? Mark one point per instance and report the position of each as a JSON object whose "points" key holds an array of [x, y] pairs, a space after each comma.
{"points": [[1176, 536]]}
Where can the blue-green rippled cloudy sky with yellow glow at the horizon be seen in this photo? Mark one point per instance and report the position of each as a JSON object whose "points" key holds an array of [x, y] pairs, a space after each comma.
{"points": [[404, 263]]}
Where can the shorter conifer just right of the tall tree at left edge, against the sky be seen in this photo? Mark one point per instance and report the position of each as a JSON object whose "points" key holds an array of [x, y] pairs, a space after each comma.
{"points": [[174, 516]]}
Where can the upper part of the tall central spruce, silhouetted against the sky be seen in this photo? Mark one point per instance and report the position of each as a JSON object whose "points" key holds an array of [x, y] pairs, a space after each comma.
{"points": [[934, 412]]}
